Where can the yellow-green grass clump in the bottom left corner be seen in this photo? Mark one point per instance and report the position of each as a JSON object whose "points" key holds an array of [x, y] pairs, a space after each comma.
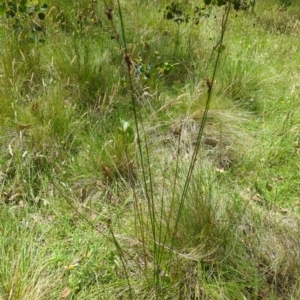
{"points": [[25, 271]]}
